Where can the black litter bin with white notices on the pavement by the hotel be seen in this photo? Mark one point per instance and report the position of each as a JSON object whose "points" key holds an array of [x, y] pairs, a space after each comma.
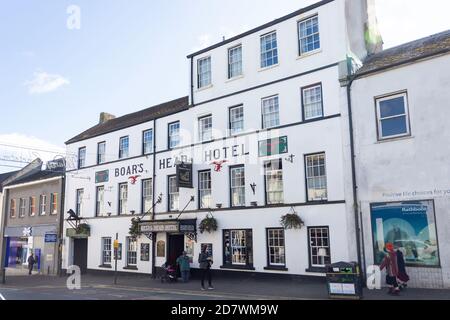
{"points": [[343, 281]]}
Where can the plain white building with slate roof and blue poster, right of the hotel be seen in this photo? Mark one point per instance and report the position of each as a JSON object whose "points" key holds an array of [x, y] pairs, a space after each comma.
{"points": [[401, 112]]}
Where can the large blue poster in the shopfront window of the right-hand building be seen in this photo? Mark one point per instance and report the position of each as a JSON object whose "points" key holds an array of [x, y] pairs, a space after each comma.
{"points": [[410, 227]]}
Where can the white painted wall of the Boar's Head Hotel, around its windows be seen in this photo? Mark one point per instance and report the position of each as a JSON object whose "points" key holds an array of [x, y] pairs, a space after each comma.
{"points": [[340, 36]]}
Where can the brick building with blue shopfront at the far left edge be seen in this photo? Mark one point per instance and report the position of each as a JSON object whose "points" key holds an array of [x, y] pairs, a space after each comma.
{"points": [[32, 218]]}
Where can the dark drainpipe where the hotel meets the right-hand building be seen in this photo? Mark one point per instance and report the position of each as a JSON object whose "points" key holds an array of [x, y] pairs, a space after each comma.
{"points": [[352, 78]]}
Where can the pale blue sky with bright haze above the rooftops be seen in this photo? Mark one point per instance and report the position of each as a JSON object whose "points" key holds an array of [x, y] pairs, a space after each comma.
{"points": [[129, 55]]}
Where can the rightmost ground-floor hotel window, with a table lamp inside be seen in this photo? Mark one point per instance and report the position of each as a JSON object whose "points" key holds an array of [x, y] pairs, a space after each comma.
{"points": [[319, 246]]}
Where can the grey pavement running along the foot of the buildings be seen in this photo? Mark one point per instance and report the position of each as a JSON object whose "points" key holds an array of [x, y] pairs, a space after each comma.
{"points": [[143, 287]]}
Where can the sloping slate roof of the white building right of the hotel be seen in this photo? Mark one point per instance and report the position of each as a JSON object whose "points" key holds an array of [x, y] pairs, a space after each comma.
{"points": [[412, 51]]}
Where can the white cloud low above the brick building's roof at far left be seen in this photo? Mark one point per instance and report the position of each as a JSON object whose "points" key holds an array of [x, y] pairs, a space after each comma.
{"points": [[16, 150]]}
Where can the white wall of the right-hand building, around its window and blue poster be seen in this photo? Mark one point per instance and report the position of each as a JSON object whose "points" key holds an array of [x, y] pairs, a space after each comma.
{"points": [[414, 167]]}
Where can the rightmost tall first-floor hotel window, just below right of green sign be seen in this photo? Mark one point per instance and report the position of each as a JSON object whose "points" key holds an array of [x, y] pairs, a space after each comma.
{"points": [[313, 180]]}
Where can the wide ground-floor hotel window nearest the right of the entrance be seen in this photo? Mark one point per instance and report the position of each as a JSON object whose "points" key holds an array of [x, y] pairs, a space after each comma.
{"points": [[238, 247]]}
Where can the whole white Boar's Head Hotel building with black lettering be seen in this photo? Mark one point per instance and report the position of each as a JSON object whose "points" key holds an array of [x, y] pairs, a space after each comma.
{"points": [[266, 129]]}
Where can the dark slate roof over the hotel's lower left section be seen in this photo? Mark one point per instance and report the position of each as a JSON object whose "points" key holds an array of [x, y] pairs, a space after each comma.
{"points": [[133, 119]]}
